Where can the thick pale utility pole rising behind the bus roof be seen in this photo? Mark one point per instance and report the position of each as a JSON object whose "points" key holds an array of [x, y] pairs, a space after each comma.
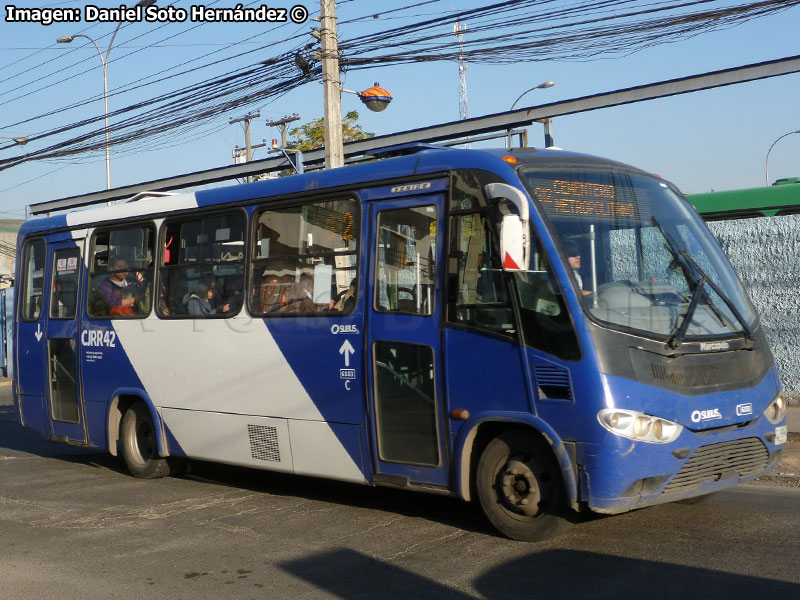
{"points": [[331, 86]]}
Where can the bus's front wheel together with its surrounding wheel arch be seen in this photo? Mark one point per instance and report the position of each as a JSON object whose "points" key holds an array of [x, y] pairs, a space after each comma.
{"points": [[516, 478]]}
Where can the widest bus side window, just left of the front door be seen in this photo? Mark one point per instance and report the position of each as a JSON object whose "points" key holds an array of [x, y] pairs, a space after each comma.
{"points": [[304, 259]]}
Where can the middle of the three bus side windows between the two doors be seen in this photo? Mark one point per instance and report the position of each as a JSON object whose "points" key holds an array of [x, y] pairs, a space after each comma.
{"points": [[202, 266]]}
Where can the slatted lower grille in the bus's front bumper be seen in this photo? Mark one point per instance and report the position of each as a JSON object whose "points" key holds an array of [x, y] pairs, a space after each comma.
{"points": [[720, 461]]}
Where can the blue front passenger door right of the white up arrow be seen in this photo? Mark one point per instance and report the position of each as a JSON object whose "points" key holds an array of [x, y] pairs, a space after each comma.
{"points": [[404, 316]]}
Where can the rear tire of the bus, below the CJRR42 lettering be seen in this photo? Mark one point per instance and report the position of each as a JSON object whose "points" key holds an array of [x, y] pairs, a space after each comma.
{"points": [[139, 446]]}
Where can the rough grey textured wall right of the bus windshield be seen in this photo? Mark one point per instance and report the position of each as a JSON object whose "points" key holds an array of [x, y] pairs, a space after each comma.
{"points": [[766, 254]]}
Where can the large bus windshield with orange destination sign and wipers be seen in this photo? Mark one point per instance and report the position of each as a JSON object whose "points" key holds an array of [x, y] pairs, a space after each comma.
{"points": [[640, 257]]}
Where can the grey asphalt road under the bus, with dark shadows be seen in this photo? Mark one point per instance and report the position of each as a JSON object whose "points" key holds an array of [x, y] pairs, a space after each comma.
{"points": [[74, 525]]}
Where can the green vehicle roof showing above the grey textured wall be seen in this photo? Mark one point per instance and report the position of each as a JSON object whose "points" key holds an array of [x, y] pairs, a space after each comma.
{"points": [[779, 197]]}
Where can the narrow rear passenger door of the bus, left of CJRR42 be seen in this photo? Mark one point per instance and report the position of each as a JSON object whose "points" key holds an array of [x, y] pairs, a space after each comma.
{"points": [[63, 329]]}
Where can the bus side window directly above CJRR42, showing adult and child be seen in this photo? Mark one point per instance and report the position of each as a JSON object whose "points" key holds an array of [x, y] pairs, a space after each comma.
{"points": [[121, 272]]}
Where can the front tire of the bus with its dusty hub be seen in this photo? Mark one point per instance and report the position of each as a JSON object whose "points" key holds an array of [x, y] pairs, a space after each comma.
{"points": [[520, 488]]}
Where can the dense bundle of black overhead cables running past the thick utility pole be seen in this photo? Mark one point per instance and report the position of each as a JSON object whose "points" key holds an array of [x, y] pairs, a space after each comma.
{"points": [[585, 29]]}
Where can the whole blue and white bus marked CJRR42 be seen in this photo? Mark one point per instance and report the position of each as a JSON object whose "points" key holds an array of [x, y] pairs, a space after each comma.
{"points": [[541, 331]]}
